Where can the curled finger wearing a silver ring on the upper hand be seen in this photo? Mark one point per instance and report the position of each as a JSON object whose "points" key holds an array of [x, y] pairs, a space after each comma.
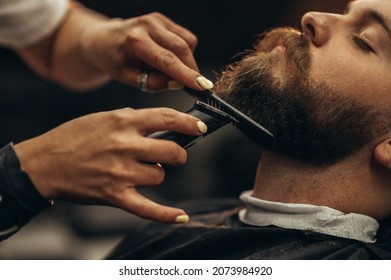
{"points": [[156, 81]]}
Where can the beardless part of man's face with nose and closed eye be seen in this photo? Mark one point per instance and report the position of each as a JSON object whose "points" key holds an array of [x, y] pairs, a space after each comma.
{"points": [[351, 53]]}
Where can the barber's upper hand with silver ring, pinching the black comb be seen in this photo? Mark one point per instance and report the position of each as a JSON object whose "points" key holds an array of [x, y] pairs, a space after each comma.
{"points": [[126, 48]]}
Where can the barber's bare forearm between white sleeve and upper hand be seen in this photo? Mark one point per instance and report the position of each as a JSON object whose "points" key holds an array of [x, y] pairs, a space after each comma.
{"points": [[59, 57]]}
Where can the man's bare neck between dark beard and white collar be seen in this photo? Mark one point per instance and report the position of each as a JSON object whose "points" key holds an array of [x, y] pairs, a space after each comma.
{"points": [[356, 185]]}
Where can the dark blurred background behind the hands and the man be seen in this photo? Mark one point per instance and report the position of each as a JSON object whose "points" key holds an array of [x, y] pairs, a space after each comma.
{"points": [[222, 165]]}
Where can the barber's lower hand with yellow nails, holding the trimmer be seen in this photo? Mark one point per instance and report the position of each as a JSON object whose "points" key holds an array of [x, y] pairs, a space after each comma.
{"points": [[101, 158]]}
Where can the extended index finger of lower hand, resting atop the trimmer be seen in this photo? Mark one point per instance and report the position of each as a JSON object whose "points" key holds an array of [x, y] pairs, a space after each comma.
{"points": [[160, 119]]}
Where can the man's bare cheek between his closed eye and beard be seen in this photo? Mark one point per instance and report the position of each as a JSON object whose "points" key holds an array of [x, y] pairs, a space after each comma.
{"points": [[345, 74]]}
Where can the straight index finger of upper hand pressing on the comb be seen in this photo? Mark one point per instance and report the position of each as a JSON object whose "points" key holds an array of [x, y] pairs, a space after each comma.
{"points": [[165, 61]]}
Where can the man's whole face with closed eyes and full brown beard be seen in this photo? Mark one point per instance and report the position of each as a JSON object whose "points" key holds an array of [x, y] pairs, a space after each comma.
{"points": [[324, 93]]}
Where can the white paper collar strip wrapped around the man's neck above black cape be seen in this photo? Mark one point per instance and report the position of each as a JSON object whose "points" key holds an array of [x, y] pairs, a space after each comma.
{"points": [[315, 218]]}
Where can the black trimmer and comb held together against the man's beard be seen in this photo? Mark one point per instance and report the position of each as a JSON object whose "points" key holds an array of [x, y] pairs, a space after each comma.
{"points": [[216, 113]]}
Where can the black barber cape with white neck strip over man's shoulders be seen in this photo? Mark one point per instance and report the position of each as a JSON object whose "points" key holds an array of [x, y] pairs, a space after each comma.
{"points": [[215, 231]]}
